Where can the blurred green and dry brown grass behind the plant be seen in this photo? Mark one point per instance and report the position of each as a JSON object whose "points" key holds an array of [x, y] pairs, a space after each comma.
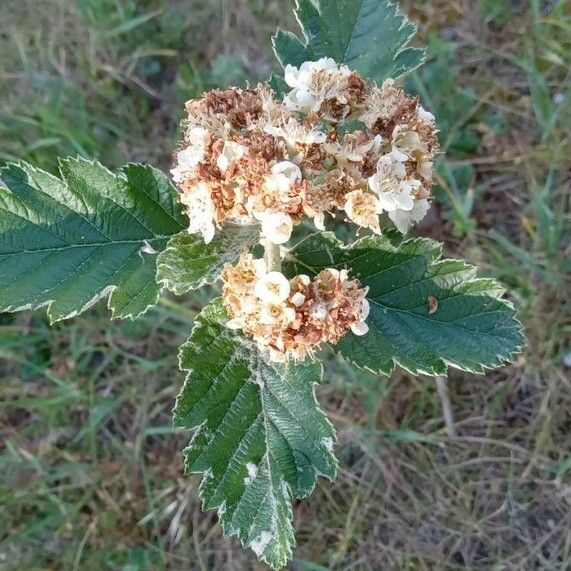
{"points": [[91, 470]]}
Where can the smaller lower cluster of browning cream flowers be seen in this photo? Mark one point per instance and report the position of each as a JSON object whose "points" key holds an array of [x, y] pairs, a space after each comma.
{"points": [[292, 318]]}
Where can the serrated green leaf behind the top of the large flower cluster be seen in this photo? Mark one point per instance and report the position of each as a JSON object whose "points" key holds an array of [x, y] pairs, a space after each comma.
{"points": [[370, 36]]}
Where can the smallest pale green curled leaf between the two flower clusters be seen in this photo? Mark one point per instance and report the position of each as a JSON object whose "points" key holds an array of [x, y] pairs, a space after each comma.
{"points": [[188, 263]]}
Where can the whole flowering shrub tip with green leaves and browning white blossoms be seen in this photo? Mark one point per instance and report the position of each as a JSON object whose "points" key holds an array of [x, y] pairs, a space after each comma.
{"points": [[335, 138]]}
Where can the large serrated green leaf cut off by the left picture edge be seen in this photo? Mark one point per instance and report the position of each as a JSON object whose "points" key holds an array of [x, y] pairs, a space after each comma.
{"points": [[67, 242]]}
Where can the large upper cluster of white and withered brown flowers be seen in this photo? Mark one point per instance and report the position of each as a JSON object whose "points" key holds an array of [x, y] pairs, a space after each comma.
{"points": [[335, 143]]}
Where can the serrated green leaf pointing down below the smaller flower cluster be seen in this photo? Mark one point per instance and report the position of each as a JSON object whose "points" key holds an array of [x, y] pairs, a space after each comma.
{"points": [[260, 439]]}
